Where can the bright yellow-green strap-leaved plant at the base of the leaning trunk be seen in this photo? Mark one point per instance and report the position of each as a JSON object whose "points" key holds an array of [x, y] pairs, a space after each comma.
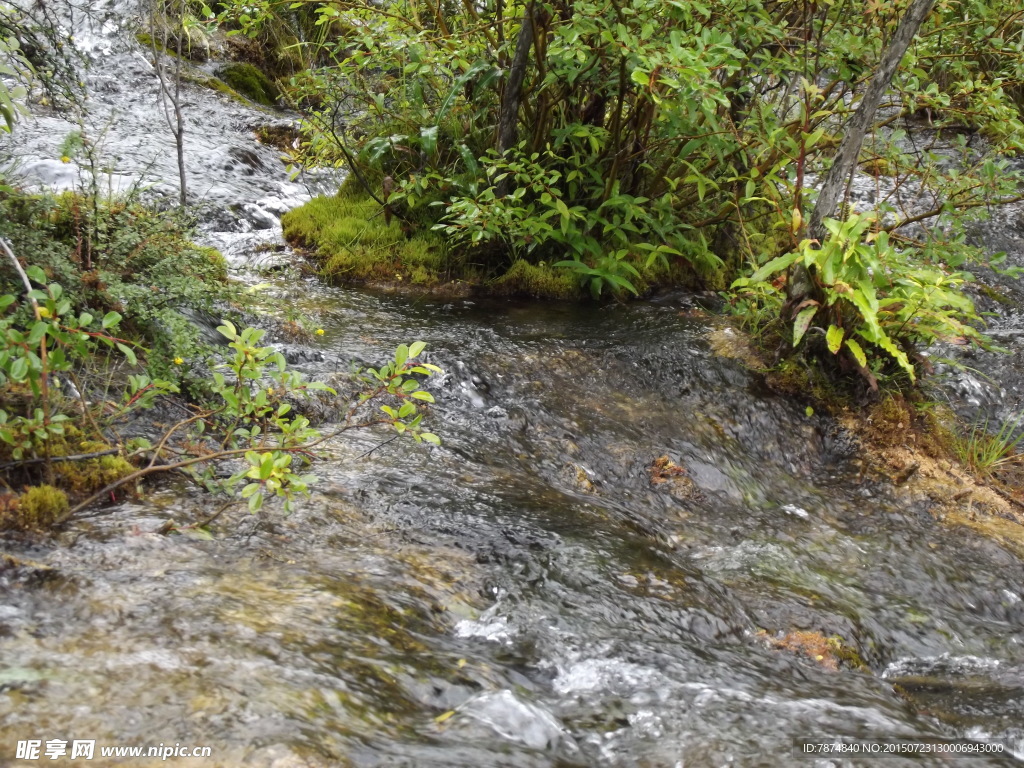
{"points": [[877, 303]]}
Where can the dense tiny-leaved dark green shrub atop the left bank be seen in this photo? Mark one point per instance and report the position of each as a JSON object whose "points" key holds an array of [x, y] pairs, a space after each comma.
{"points": [[119, 257]]}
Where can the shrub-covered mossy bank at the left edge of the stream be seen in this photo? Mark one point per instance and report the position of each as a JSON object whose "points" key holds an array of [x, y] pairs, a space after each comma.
{"points": [[124, 276]]}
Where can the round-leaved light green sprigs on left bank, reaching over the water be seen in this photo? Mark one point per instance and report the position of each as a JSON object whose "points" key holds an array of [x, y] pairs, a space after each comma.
{"points": [[250, 415]]}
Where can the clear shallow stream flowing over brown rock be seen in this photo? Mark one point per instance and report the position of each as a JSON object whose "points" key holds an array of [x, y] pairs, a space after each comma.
{"points": [[589, 572]]}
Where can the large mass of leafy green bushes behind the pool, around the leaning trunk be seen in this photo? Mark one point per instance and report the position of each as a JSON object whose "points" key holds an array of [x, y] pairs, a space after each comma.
{"points": [[651, 131]]}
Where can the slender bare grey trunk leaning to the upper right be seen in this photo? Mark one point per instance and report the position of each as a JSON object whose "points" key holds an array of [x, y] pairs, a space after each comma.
{"points": [[801, 285]]}
